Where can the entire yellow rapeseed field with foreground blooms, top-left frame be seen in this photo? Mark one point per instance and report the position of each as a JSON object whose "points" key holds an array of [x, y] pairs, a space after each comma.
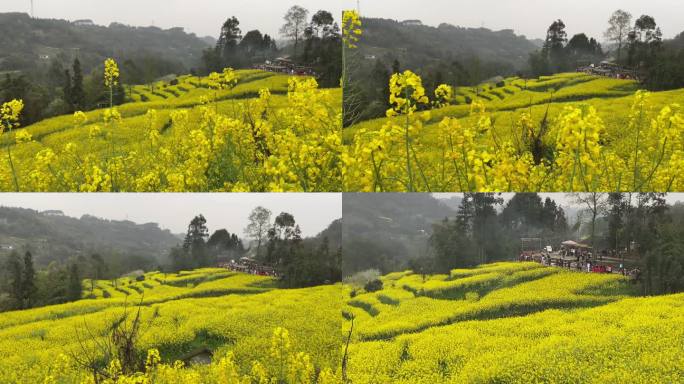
{"points": [[195, 135]]}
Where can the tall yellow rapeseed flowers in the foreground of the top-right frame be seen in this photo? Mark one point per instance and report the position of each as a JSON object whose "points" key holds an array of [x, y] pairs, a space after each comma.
{"points": [[570, 152]]}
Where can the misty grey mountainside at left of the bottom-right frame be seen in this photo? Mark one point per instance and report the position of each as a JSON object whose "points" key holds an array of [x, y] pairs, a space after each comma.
{"points": [[386, 230]]}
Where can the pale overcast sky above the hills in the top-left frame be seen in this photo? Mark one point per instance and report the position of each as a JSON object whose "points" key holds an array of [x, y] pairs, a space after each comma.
{"points": [[203, 17]]}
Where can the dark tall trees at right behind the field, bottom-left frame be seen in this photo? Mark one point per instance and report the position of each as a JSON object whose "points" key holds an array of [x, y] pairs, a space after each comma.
{"points": [[275, 242]]}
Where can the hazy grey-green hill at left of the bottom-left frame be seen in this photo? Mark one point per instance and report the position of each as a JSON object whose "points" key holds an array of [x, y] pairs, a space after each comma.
{"points": [[54, 237]]}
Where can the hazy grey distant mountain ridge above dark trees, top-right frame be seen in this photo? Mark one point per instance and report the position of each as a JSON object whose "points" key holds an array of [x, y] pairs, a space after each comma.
{"points": [[417, 44]]}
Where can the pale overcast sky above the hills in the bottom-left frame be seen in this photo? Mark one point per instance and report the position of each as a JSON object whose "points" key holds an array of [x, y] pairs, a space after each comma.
{"points": [[313, 212]]}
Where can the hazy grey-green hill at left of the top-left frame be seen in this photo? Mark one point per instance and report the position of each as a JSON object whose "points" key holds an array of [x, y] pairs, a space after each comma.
{"points": [[27, 44]]}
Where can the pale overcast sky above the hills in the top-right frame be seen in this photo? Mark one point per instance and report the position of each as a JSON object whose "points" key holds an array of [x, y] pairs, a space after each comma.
{"points": [[527, 17]]}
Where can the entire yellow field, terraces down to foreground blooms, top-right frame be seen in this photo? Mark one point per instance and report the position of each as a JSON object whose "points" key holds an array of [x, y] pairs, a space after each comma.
{"points": [[568, 132]]}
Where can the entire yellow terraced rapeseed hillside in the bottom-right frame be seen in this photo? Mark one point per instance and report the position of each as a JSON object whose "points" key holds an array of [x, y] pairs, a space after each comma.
{"points": [[513, 323]]}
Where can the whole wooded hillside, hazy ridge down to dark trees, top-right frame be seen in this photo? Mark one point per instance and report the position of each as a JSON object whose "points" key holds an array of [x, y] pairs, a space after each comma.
{"points": [[452, 55]]}
